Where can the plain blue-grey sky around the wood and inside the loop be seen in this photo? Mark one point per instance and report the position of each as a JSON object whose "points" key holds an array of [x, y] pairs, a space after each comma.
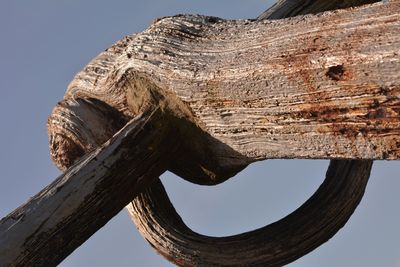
{"points": [[44, 43]]}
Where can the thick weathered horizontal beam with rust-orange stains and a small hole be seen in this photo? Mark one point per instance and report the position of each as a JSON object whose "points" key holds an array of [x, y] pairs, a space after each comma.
{"points": [[321, 86]]}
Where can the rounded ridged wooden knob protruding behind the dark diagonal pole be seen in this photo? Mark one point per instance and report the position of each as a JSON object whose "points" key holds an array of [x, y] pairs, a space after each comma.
{"points": [[77, 126]]}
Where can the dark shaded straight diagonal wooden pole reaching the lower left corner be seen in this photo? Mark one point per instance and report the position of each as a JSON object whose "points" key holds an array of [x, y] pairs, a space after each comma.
{"points": [[63, 215]]}
